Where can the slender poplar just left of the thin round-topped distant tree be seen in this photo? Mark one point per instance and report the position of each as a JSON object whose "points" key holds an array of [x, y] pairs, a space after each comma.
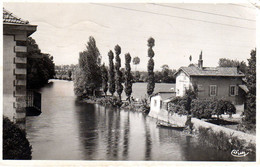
{"points": [[128, 76]]}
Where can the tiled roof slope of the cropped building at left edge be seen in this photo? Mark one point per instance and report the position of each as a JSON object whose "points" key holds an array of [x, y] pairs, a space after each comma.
{"points": [[10, 18]]}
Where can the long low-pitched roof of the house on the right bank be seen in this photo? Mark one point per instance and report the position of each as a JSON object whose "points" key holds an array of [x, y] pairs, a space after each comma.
{"points": [[211, 71]]}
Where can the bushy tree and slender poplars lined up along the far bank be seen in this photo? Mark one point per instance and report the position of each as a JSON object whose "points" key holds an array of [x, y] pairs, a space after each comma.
{"points": [[91, 75]]}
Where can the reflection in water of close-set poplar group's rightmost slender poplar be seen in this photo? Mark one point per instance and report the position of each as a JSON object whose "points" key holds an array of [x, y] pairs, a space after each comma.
{"points": [[126, 137]]}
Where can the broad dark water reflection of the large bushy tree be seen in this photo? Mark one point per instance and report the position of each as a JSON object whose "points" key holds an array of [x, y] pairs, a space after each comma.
{"points": [[87, 125]]}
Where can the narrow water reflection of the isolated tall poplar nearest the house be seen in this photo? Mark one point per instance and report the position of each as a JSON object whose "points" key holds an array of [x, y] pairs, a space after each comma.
{"points": [[148, 141]]}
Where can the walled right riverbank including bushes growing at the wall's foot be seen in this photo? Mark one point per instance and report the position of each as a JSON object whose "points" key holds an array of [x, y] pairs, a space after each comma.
{"points": [[213, 135]]}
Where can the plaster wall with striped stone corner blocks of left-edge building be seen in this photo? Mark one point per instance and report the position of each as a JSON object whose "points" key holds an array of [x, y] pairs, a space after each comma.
{"points": [[14, 77]]}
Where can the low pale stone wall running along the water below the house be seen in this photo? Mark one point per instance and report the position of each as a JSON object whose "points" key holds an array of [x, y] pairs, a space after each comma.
{"points": [[164, 115]]}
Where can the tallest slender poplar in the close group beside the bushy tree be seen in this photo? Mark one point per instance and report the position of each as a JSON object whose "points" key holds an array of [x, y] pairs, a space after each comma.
{"points": [[119, 75]]}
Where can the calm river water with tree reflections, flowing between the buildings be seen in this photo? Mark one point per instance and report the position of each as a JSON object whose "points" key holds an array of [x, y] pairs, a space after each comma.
{"points": [[70, 130]]}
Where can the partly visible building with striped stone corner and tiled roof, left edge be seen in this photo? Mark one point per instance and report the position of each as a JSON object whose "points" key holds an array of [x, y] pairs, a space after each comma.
{"points": [[15, 33]]}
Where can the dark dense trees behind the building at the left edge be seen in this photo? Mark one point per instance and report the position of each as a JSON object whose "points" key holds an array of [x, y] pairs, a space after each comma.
{"points": [[40, 66]]}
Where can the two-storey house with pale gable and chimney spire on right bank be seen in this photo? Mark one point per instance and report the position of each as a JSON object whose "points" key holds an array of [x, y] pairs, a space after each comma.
{"points": [[218, 82]]}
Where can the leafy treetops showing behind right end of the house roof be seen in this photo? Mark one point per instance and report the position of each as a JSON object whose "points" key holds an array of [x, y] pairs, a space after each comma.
{"points": [[224, 62]]}
